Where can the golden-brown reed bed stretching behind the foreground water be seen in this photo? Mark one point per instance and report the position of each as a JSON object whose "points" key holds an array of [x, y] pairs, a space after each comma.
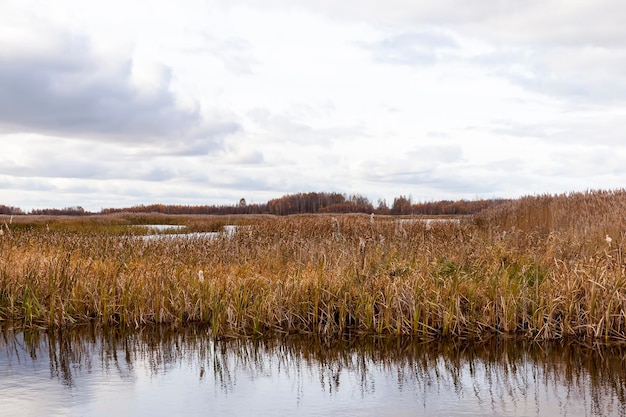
{"points": [[540, 267]]}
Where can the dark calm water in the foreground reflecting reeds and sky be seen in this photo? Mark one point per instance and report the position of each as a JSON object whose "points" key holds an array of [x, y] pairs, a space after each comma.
{"points": [[169, 372]]}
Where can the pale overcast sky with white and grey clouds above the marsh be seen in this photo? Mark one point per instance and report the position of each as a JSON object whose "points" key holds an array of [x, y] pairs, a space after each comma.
{"points": [[194, 102]]}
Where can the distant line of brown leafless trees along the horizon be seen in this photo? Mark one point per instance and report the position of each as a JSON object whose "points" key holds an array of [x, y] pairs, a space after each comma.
{"points": [[313, 202]]}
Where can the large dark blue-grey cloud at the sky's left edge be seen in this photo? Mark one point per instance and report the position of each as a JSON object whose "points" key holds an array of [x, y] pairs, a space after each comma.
{"points": [[69, 92]]}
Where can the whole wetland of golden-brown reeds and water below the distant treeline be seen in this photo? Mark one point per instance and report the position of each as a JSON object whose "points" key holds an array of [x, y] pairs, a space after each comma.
{"points": [[517, 310]]}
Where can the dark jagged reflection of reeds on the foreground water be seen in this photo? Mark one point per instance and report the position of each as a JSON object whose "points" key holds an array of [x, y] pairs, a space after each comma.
{"points": [[498, 375]]}
